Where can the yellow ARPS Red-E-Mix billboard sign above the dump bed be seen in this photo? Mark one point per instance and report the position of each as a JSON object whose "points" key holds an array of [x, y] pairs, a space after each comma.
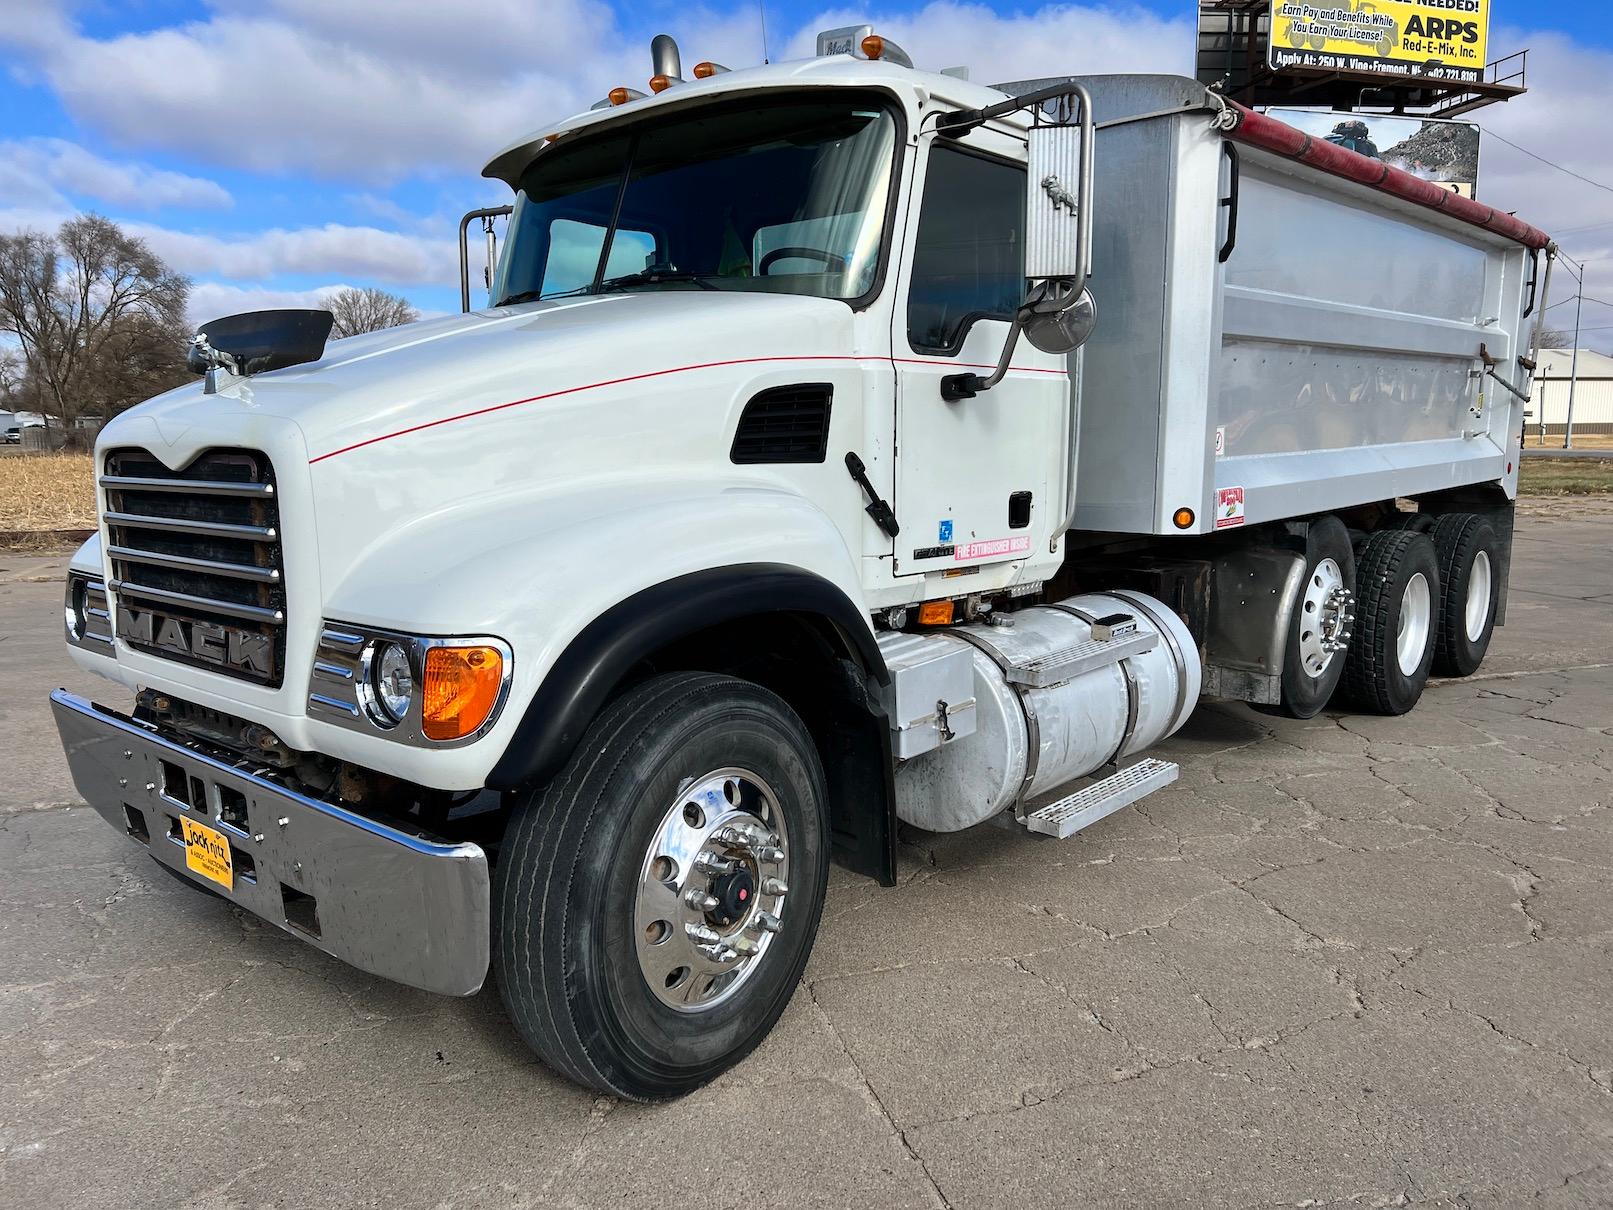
{"points": [[1423, 40]]}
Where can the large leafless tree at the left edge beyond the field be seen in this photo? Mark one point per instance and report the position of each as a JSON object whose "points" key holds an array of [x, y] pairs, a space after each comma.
{"points": [[99, 320]]}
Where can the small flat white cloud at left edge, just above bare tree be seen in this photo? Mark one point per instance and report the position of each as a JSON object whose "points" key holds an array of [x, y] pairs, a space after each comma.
{"points": [[49, 172]]}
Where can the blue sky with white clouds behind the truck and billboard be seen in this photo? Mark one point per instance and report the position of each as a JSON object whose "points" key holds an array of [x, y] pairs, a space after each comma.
{"points": [[273, 149]]}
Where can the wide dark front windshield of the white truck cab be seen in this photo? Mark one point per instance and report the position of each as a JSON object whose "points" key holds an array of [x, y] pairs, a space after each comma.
{"points": [[781, 196]]}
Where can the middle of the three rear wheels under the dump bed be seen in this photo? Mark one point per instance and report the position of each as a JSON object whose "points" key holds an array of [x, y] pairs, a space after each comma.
{"points": [[1396, 630]]}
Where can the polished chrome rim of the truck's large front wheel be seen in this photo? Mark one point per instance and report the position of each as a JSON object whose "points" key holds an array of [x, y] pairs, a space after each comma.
{"points": [[712, 890]]}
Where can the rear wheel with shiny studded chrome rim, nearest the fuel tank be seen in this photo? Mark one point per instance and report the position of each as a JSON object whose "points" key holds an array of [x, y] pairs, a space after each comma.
{"points": [[1314, 654]]}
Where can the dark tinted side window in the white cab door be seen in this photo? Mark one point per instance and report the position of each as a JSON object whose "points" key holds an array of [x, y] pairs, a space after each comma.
{"points": [[969, 261]]}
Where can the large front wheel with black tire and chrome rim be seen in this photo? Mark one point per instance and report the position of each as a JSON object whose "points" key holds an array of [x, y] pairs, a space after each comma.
{"points": [[657, 903]]}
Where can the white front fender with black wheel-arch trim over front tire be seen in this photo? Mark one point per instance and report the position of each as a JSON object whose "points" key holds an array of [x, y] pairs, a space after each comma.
{"points": [[538, 572]]}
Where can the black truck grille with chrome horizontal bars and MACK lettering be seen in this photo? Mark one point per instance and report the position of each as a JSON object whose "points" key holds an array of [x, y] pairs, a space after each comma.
{"points": [[196, 561]]}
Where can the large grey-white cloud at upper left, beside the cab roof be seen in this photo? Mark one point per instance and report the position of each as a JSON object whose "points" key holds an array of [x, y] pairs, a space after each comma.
{"points": [[331, 88]]}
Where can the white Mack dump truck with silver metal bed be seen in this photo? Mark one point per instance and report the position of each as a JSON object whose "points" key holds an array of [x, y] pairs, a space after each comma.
{"points": [[843, 444]]}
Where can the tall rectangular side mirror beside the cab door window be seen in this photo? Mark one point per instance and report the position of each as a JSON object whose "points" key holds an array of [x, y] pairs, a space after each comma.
{"points": [[1059, 204]]}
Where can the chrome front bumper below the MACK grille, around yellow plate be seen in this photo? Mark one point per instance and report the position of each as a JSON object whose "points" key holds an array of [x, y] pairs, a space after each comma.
{"points": [[381, 899]]}
